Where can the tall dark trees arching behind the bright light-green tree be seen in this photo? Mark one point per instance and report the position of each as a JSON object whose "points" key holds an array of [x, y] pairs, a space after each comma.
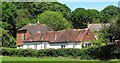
{"points": [[36, 8]]}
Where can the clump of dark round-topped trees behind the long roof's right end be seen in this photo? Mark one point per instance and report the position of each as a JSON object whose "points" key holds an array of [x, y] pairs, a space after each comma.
{"points": [[80, 17]]}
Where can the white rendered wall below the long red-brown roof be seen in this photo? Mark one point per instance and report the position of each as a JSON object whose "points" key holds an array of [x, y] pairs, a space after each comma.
{"points": [[41, 45]]}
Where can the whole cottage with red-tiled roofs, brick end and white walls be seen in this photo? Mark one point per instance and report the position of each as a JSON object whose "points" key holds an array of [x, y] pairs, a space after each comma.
{"points": [[73, 38]]}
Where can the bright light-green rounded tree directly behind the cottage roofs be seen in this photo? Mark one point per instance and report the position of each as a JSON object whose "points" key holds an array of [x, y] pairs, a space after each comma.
{"points": [[54, 20]]}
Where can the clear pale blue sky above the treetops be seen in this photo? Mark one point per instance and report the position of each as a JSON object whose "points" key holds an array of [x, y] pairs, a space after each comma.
{"points": [[89, 5]]}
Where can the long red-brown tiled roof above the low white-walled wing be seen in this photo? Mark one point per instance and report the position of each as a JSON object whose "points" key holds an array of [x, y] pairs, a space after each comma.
{"points": [[72, 35]]}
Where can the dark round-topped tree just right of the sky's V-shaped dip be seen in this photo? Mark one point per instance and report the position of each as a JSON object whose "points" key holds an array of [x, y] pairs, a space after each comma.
{"points": [[78, 18]]}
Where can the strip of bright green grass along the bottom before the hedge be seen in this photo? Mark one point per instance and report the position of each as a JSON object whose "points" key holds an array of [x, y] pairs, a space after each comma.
{"points": [[51, 60]]}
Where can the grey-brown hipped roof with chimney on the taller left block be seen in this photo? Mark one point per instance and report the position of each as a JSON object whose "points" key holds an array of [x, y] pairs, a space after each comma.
{"points": [[36, 28]]}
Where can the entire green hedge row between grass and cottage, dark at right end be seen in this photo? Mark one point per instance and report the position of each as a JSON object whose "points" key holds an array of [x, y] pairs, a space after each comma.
{"points": [[94, 52]]}
